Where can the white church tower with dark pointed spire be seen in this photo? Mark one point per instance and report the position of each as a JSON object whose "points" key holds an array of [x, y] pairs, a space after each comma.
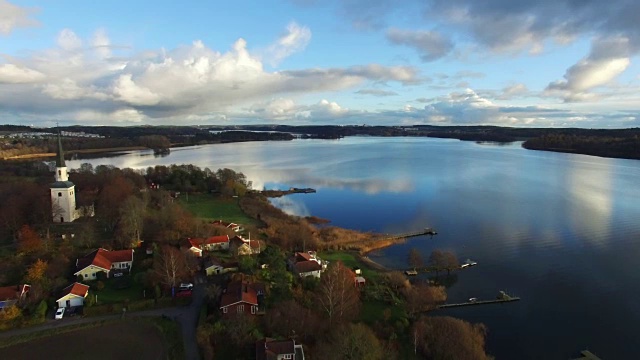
{"points": [[63, 193]]}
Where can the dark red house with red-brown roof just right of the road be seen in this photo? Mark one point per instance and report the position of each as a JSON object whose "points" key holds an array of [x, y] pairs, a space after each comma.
{"points": [[241, 297]]}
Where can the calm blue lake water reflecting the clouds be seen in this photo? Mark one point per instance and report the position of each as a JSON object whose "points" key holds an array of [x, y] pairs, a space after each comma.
{"points": [[559, 230]]}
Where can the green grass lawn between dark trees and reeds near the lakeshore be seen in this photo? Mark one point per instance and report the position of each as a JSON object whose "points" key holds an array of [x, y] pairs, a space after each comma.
{"points": [[215, 207]]}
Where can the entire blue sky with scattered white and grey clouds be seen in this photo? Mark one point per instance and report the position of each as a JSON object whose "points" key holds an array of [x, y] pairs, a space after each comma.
{"points": [[544, 63]]}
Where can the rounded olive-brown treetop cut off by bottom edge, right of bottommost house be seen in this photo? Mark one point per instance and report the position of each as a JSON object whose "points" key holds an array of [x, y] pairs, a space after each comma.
{"points": [[355, 342]]}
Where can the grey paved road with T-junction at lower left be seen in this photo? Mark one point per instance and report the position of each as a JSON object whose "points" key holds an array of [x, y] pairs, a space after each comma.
{"points": [[186, 316]]}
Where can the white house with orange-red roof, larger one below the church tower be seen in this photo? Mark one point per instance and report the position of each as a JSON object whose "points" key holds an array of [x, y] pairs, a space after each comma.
{"points": [[101, 260]]}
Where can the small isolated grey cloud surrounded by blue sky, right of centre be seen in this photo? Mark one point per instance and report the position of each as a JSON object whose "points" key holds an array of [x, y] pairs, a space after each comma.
{"points": [[431, 45]]}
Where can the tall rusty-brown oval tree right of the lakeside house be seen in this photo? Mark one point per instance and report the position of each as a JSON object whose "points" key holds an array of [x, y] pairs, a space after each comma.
{"points": [[338, 296]]}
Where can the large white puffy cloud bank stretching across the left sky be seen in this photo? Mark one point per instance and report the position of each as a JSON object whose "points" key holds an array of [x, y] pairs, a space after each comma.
{"points": [[189, 82]]}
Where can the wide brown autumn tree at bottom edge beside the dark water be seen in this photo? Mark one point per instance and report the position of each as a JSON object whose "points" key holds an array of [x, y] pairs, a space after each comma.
{"points": [[443, 337]]}
